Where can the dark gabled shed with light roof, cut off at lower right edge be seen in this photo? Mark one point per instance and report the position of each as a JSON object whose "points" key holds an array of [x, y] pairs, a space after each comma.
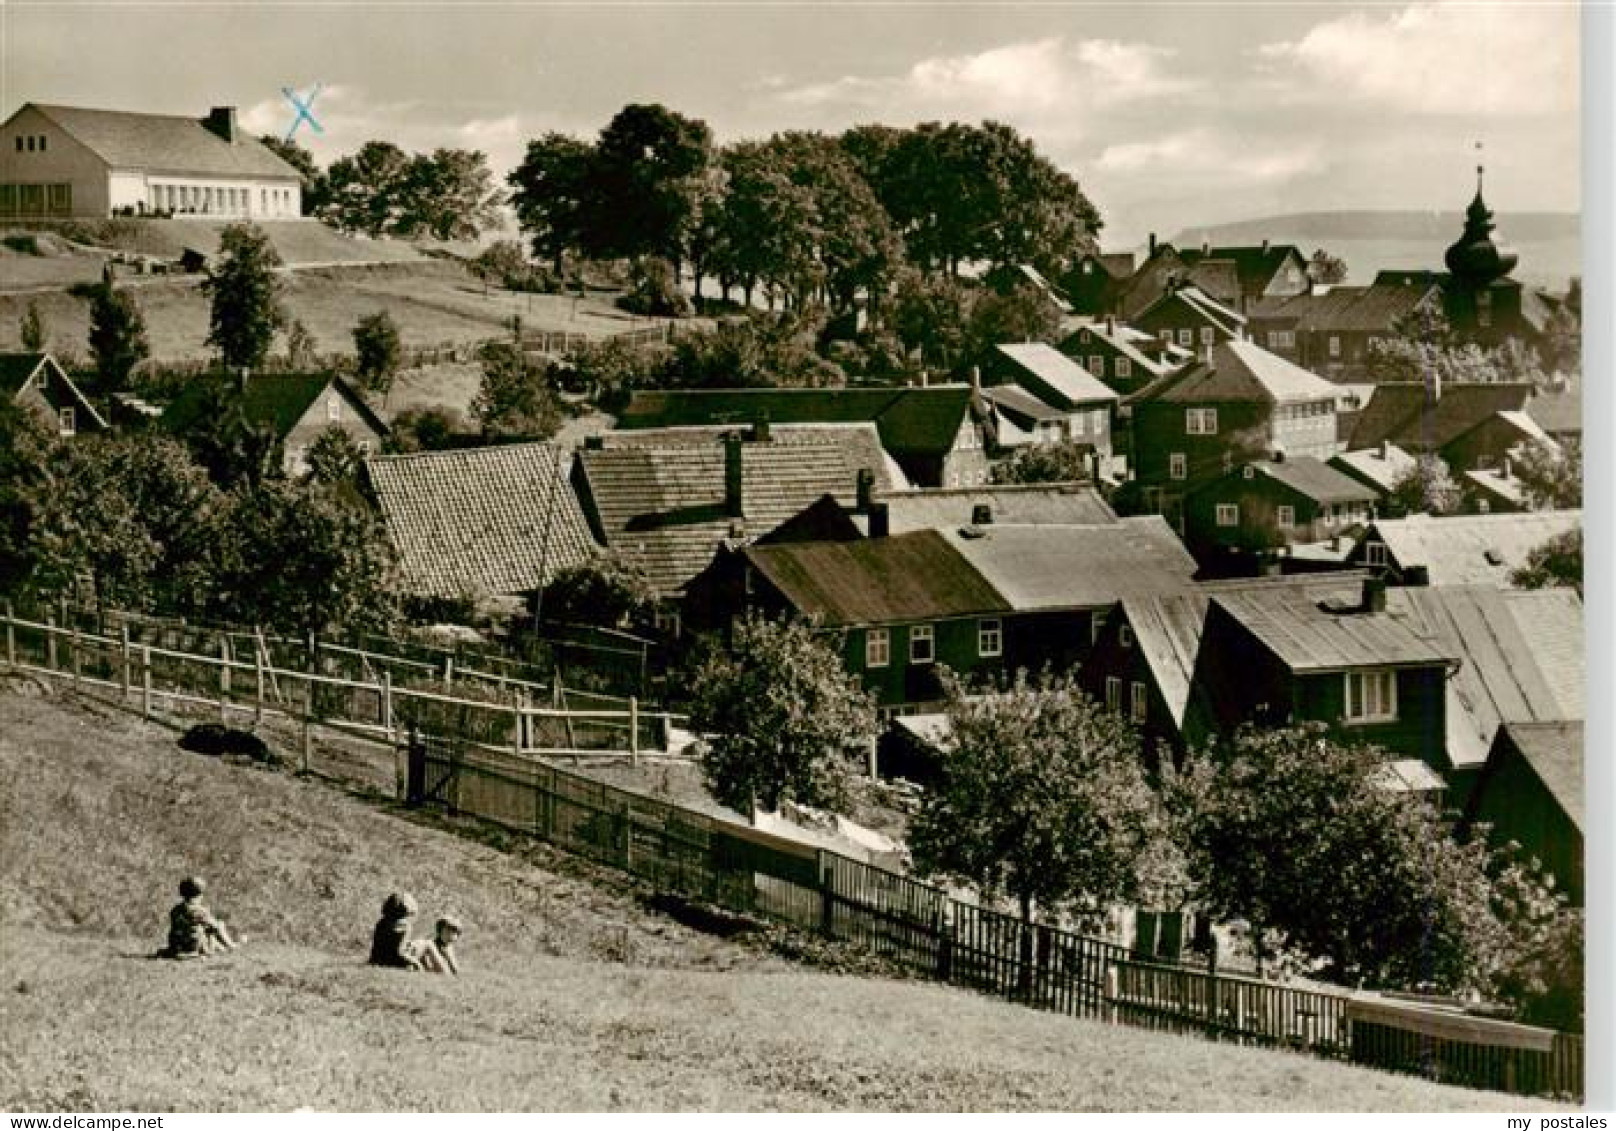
{"points": [[1531, 793]]}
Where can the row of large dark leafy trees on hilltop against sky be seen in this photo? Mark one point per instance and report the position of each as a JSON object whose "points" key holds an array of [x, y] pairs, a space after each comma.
{"points": [[801, 214]]}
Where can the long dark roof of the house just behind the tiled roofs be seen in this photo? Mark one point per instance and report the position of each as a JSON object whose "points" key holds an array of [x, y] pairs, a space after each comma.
{"points": [[914, 421]]}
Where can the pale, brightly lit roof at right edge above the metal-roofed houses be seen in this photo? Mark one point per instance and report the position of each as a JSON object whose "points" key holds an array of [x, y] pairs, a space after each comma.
{"points": [[1470, 549]]}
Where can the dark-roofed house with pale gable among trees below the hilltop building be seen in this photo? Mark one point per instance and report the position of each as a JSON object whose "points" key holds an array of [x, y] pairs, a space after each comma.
{"points": [[288, 411]]}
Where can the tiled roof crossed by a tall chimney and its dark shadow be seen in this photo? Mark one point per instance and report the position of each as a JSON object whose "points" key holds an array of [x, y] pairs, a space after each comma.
{"points": [[665, 507]]}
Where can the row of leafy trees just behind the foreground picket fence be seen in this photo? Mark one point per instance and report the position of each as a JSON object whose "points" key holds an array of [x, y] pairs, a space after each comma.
{"points": [[1043, 805]]}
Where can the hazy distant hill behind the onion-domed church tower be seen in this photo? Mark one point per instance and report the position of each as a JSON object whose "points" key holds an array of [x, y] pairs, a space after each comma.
{"points": [[1549, 243]]}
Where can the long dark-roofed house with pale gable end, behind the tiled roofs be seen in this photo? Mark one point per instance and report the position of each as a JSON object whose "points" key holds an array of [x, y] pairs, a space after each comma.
{"points": [[936, 434]]}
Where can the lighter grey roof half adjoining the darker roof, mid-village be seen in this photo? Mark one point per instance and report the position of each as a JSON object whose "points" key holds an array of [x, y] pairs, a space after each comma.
{"points": [[1077, 568]]}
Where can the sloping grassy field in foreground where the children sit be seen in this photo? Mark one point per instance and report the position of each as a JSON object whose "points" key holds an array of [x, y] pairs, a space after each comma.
{"points": [[578, 996]]}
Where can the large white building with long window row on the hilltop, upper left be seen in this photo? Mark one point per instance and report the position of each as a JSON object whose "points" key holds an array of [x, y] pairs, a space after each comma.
{"points": [[75, 162]]}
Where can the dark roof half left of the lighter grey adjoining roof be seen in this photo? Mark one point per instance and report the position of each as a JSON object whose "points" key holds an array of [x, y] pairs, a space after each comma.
{"points": [[878, 581]]}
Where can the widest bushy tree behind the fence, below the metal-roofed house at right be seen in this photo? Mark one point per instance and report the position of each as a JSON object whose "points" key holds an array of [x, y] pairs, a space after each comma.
{"points": [[1297, 833]]}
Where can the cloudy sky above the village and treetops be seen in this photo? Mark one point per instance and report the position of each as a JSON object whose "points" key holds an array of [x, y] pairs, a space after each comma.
{"points": [[1171, 116]]}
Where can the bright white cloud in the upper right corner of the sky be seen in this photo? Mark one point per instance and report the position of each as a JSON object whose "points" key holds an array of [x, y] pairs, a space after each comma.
{"points": [[1444, 59]]}
